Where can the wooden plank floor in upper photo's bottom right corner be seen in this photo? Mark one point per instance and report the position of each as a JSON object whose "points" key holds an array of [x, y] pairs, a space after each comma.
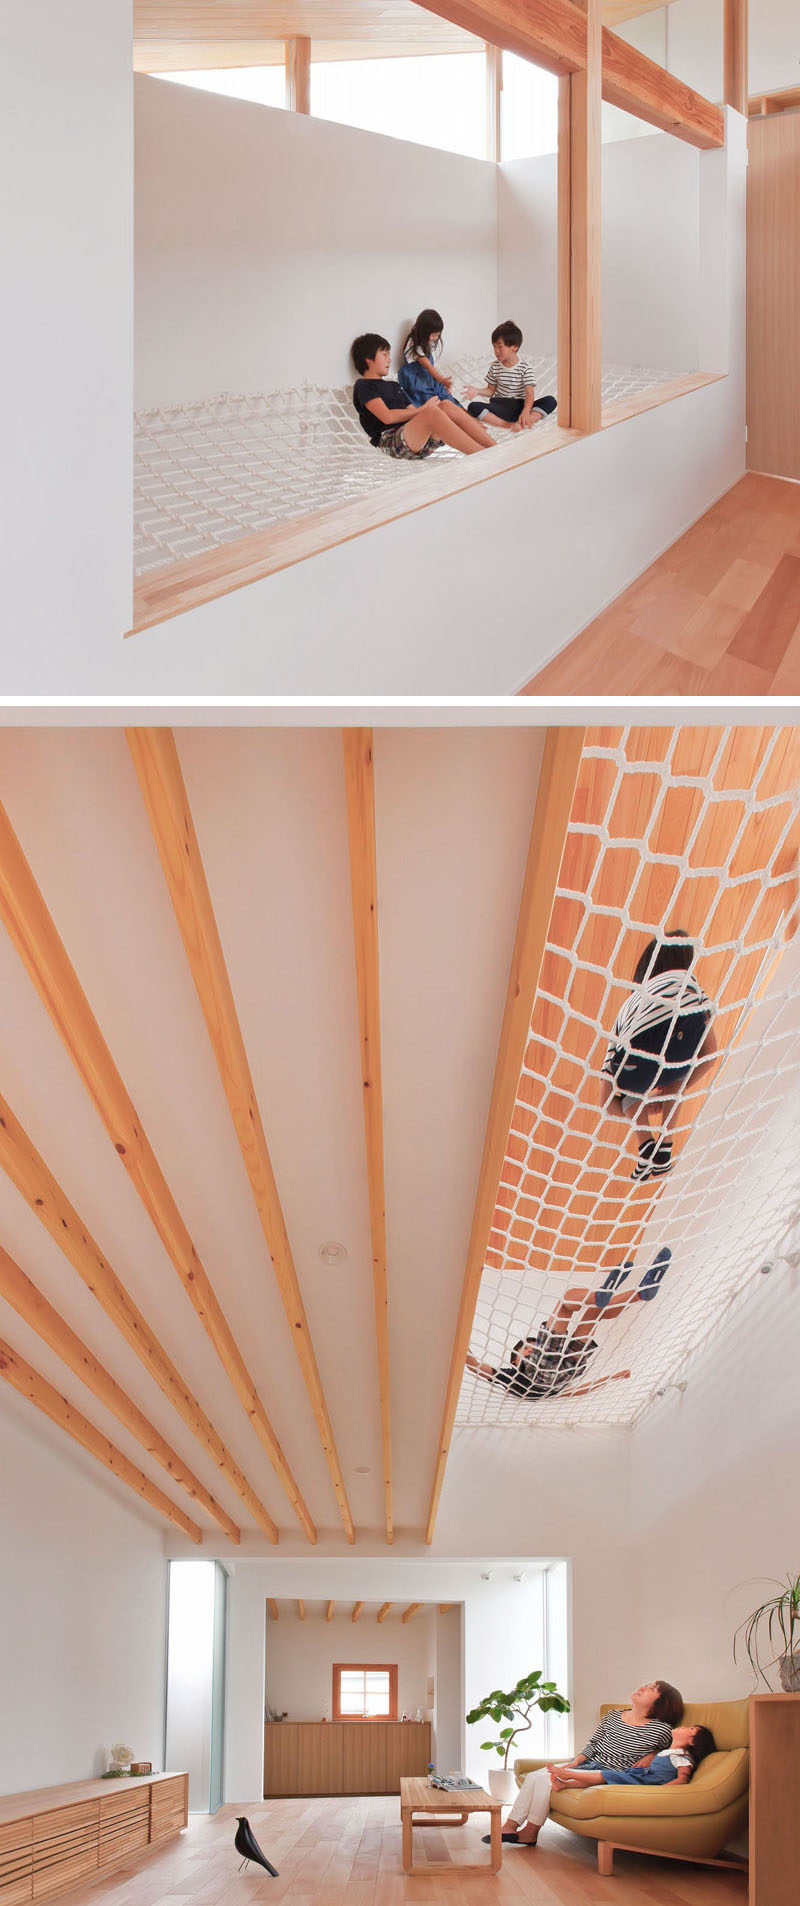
{"points": [[719, 615]]}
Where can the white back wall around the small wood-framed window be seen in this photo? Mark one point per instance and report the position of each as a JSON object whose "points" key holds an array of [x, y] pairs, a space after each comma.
{"points": [[300, 1657]]}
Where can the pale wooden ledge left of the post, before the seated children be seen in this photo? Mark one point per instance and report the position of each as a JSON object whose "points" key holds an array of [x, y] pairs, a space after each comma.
{"points": [[216, 573]]}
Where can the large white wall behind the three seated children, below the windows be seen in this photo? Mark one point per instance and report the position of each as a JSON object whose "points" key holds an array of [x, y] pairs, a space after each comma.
{"points": [[266, 241]]}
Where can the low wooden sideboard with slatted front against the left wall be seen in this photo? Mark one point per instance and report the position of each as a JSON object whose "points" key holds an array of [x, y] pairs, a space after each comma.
{"points": [[54, 1838]]}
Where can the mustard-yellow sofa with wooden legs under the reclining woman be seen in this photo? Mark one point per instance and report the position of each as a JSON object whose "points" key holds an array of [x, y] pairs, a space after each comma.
{"points": [[687, 1823]]}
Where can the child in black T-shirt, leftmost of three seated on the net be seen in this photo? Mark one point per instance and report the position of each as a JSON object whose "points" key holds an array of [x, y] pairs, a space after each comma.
{"points": [[395, 426]]}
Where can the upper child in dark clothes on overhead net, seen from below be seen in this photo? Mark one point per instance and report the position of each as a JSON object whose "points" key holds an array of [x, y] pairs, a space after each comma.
{"points": [[662, 1040]]}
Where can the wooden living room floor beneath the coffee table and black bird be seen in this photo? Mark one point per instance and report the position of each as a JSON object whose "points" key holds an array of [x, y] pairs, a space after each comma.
{"points": [[348, 1854]]}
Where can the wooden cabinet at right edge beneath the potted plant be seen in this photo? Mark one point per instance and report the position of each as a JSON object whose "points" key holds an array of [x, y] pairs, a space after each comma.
{"points": [[774, 1800]]}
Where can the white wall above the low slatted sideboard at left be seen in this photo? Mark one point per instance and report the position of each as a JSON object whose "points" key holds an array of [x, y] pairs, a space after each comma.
{"points": [[83, 1612]]}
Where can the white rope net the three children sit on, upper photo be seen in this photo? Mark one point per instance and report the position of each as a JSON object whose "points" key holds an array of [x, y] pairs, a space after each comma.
{"points": [[224, 468]]}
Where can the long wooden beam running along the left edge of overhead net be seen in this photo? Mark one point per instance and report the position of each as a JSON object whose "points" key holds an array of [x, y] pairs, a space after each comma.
{"points": [[551, 819]]}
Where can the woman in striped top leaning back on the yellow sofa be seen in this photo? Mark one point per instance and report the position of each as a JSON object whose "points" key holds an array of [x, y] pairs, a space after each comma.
{"points": [[626, 1735]]}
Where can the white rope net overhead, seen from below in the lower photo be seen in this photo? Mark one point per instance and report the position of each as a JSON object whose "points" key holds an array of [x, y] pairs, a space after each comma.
{"points": [[698, 830]]}
